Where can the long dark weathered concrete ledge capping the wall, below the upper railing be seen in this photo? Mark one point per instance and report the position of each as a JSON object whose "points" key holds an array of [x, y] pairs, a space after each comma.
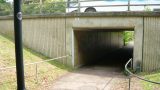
{"points": [[106, 14]]}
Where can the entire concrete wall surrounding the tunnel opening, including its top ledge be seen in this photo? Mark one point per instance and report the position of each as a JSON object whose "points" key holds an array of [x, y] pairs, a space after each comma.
{"points": [[53, 36]]}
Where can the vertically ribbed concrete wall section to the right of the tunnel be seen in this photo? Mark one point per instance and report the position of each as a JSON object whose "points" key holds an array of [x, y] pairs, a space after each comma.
{"points": [[151, 48]]}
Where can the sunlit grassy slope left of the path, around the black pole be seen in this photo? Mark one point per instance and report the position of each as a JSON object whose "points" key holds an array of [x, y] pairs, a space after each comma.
{"points": [[47, 72]]}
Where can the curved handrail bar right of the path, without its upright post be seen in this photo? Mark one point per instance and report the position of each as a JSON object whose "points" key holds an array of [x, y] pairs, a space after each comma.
{"points": [[131, 74]]}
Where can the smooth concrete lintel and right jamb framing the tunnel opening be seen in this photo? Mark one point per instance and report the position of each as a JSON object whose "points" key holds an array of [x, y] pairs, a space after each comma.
{"points": [[134, 23]]}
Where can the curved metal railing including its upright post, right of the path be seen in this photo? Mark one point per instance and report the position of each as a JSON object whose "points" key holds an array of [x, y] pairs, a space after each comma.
{"points": [[134, 75]]}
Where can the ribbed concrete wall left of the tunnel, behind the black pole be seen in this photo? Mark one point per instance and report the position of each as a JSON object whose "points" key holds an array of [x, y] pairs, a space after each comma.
{"points": [[44, 35]]}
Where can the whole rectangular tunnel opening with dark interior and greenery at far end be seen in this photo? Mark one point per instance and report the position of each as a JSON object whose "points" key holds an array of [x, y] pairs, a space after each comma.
{"points": [[102, 47]]}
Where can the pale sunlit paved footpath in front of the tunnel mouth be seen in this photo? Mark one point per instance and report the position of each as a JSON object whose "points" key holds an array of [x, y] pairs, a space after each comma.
{"points": [[95, 78]]}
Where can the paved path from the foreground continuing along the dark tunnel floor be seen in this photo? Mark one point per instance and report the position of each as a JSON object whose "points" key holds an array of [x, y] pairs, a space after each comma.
{"points": [[105, 74]]}
